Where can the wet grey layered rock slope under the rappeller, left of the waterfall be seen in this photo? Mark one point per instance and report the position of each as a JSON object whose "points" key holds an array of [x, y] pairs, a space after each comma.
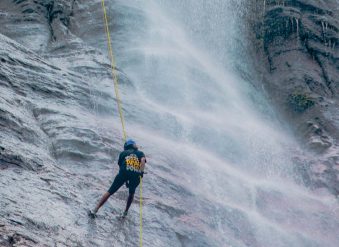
{"points": [[58, 148]]}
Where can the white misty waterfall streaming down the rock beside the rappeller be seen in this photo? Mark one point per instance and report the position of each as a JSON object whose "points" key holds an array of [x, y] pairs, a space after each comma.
{"points": [[220, 170]]}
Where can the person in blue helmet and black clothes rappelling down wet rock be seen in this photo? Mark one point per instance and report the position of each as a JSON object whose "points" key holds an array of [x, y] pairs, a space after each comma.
{"points": [[131, 169]]}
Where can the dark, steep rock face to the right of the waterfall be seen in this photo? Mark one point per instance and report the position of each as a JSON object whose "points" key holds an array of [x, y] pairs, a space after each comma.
{"points": [[298, 41]]}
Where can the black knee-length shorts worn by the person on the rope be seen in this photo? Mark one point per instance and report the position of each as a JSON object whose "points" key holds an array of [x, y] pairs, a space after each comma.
{"points": [[122, 177]]}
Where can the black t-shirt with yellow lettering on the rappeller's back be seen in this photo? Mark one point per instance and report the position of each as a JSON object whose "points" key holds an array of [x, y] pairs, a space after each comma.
{"points": [[131, 160]]}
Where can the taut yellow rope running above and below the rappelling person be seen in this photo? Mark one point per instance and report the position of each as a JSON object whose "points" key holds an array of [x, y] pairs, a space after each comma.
{"points": [[116, 89]]}
